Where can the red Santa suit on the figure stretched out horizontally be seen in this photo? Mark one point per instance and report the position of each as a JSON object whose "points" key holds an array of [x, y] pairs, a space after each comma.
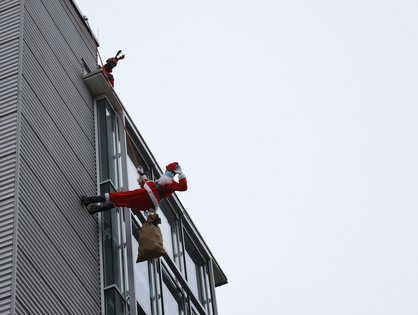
{"points": [[149, 196]]}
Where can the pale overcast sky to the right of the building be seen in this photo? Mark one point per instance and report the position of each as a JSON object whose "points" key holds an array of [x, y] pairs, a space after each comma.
{"points": [[296, 124]]}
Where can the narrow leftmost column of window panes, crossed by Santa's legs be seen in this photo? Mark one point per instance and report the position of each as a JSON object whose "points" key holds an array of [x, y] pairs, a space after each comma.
{"points": [[111, 221]]}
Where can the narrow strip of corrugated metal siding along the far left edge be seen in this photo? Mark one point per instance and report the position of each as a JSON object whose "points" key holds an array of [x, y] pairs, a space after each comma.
{"points": [[9, 50]]}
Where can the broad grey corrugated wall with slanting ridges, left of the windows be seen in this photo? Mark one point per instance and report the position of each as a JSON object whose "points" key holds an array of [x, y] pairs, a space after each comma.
{"points": [[58, 250]]}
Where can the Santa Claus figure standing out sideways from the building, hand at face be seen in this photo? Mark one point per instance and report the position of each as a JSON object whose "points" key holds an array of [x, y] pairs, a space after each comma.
{"points": [[148, 197]]}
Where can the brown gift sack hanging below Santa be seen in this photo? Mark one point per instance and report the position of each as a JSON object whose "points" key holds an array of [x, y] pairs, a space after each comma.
{"points": [[150, 239]]}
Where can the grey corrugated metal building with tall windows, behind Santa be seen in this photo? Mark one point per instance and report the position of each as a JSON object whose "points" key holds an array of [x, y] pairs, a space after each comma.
{"points": [[65, 133]]}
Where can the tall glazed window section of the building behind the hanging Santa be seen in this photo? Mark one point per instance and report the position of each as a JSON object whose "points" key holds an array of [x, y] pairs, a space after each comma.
{"points": [[177, 284]]}
